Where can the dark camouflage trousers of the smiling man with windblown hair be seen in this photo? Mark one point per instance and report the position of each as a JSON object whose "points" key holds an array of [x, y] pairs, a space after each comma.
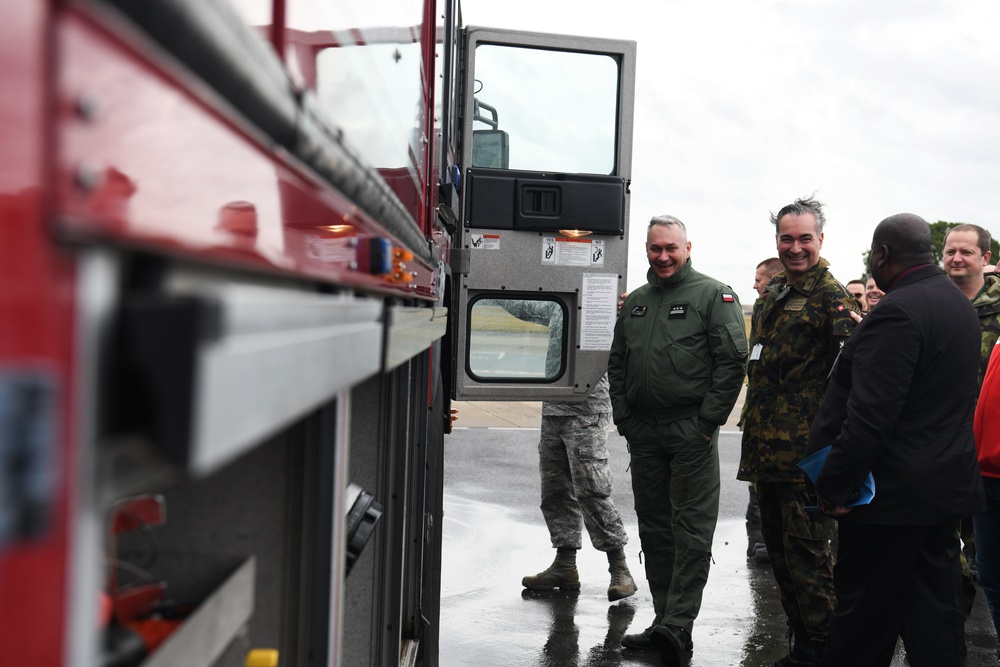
{"points": [[798, 543]]}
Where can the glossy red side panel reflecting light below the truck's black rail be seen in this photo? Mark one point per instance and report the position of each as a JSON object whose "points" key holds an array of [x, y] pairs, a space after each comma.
{"points": [[154, 165]]}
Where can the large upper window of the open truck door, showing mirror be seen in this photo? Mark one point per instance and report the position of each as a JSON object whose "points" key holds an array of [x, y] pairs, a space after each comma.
{"points": [[552, 110]]}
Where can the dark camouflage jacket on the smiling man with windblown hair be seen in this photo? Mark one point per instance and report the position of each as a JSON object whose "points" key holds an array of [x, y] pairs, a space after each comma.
{"points": [[796, 335]]}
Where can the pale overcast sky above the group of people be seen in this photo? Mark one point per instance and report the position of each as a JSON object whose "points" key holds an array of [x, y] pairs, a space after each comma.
{"points": [[879, 107]]}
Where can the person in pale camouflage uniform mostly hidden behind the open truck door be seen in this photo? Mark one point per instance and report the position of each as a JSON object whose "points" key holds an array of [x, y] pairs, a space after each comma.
{"points": [[575, 472]]}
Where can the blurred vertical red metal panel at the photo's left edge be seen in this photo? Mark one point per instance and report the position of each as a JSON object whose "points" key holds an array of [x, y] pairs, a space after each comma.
{"points": [[36, 328]]}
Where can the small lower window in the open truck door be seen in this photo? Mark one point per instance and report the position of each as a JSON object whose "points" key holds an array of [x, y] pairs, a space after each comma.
{"points": [[516, 340]]}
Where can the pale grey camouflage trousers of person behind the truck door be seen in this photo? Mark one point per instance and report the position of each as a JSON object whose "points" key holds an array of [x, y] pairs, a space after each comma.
{"points": [[576, 482]]}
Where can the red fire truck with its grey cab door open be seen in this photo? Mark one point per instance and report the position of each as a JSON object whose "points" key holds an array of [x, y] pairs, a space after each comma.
{"points": [[250, 251]]}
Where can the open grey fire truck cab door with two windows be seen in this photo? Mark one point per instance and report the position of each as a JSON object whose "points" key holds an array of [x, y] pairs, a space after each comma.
{"points": [[540, 257]]}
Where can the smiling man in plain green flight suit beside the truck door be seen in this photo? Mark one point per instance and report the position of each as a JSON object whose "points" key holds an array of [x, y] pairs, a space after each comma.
{"points": [[677, 362]]}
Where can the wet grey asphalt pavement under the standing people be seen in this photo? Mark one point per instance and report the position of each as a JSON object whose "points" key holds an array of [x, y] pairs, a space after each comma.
{"points": [[494, 535]]}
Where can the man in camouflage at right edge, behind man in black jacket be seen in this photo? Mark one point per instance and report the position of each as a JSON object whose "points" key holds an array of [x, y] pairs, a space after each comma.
{"points": [[966, 253]]}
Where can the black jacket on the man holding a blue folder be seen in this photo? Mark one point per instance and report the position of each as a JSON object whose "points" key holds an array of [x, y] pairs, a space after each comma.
{"points": [[900, 403]]}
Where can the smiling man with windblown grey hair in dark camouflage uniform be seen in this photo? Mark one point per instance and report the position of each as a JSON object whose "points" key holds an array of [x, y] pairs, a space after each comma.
{"points": [[796, 335]]}
